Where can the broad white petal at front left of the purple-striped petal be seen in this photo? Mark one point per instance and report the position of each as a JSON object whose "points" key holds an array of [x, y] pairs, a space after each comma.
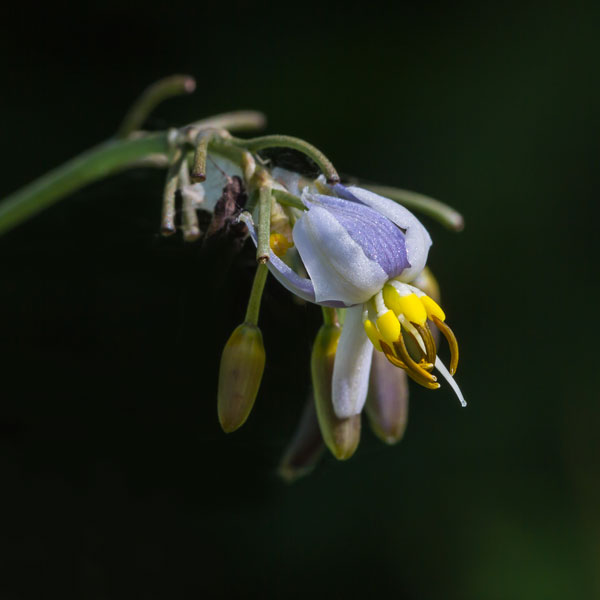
{"points": [[336, 264]]}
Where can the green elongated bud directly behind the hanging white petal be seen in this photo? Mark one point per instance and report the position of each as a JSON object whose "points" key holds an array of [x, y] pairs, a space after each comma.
{"points": [[340, 435]]}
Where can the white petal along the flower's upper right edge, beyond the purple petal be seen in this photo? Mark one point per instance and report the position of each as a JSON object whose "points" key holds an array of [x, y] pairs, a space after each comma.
{"points": [[418, 240]]}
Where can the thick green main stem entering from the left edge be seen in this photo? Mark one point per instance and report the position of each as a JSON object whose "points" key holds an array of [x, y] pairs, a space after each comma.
{"points": [[103, 160]]}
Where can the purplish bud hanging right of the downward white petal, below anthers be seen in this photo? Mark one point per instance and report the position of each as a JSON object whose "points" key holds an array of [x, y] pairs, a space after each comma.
{"points": [[387, 400]]}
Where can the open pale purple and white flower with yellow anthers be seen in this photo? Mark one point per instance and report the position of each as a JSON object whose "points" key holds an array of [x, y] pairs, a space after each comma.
{"points": [[361, 251]]}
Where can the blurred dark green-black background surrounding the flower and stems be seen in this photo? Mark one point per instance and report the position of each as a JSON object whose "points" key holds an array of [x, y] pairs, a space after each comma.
{"points": [[116, 478]]}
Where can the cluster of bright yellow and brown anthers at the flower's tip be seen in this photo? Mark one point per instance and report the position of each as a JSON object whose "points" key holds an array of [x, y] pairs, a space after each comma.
{"points": [[396, 322]]}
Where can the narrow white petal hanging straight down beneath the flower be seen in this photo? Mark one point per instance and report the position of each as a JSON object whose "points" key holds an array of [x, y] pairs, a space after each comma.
{"points": [[352, 366]]}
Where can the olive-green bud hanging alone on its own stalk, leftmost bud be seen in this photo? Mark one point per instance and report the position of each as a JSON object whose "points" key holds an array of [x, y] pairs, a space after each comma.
{"points": [[242, 366]]}
